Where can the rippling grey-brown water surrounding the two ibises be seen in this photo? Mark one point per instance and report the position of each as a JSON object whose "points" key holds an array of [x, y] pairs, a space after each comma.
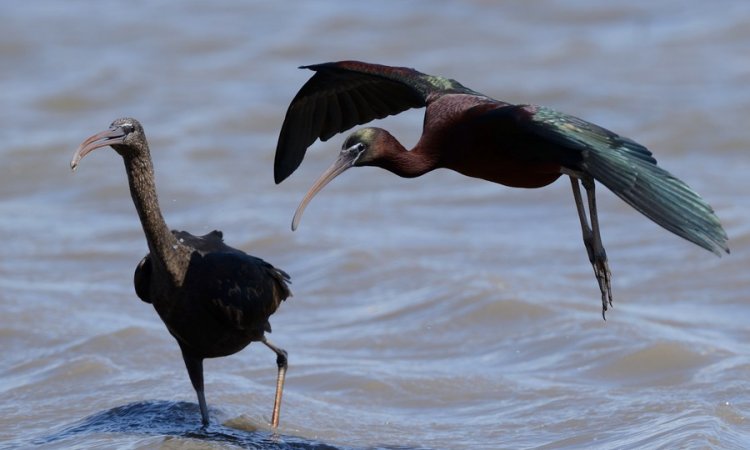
{"points": [[441, 312]]}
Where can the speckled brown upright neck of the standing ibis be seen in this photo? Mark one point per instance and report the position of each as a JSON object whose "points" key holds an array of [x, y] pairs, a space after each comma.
{"points": [[162, 244]]}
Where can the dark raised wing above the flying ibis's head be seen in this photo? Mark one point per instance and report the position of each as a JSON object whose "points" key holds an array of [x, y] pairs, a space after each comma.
{"points": [[347, 93]]}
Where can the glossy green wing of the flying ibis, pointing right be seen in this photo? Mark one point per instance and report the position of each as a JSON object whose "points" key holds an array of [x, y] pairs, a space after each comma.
{"points": [[629, 170]]}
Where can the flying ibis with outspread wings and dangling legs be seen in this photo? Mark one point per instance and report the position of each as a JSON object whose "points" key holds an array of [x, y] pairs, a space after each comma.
{"points": [[523, 146]]}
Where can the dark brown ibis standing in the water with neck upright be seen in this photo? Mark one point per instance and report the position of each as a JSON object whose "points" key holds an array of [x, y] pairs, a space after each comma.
{"points": [[214, 299]]}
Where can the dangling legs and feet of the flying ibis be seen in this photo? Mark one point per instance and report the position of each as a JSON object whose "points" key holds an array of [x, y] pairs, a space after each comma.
{"points": [[592, 239]]}
